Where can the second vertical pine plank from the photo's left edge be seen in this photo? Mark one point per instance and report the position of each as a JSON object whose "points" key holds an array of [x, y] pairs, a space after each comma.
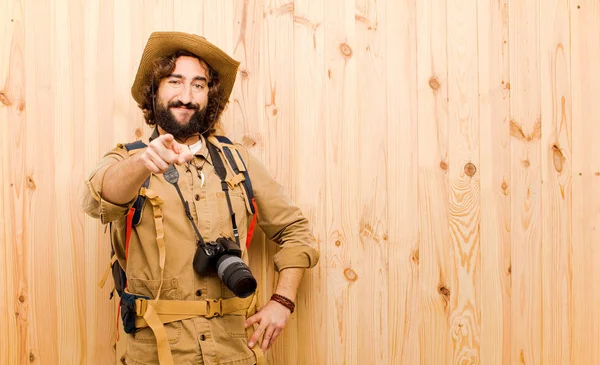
{"points": [[41, 246]]}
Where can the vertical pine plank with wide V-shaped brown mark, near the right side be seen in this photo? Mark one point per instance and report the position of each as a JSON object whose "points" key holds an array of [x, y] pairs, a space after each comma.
{"points": [[526, 204]]}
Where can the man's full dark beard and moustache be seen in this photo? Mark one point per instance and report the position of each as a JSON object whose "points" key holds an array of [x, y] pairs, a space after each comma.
{"points": [[165, 119]]}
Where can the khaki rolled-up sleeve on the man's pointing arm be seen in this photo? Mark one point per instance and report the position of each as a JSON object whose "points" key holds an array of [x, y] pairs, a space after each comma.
{"points": [[93, 203]]}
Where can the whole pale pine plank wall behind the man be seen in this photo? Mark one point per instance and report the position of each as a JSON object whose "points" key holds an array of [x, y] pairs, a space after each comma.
{"points": [[445, 151]]}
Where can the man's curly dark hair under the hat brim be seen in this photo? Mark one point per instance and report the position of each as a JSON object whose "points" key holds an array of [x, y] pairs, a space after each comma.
{"points": [[163, 67]]}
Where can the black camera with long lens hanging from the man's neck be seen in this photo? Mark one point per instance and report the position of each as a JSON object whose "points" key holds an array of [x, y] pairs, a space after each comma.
{"points": [[225, 255]]}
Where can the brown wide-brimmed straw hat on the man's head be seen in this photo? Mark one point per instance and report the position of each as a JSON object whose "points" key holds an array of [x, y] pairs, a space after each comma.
{"points": [[161, 44]]}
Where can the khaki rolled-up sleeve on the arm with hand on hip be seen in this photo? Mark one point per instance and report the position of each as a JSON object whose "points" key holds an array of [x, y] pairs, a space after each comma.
{"points": [[282, 221]]}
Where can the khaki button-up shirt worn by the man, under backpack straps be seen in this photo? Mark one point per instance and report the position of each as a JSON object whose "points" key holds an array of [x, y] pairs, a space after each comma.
{"points": [[218, 340]]}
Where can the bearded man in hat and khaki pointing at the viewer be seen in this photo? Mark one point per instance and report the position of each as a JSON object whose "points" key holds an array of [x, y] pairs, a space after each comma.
{"points": [[178, 306]]}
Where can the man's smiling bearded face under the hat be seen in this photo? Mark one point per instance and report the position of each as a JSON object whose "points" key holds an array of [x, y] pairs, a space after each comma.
{"points": [[182, 98]]}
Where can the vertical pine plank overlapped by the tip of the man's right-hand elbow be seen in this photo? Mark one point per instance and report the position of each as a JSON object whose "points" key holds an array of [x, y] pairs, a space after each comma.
{"points": [[310, 189]]}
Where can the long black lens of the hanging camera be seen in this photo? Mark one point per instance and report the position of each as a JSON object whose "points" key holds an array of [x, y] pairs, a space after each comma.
{"points": [[236, 275]]}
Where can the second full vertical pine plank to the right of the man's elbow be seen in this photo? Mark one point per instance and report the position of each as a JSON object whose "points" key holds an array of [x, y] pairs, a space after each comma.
{"points": [[371, 245]]}
